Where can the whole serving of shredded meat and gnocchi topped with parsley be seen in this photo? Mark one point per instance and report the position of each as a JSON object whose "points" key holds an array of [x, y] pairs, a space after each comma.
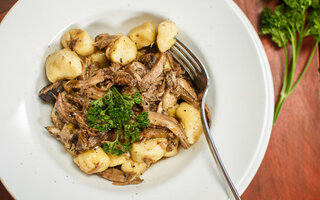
{"points": [[123, 105]]}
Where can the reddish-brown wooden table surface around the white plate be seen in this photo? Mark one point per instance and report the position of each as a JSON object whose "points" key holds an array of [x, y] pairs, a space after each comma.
{"points": [[291, 166]]}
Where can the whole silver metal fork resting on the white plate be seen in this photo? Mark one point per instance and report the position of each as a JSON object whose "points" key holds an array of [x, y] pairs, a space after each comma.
{"points": [[200, 78]]}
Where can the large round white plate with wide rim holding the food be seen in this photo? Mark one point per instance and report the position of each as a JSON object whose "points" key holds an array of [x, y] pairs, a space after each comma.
{"points": [[35, 166]]}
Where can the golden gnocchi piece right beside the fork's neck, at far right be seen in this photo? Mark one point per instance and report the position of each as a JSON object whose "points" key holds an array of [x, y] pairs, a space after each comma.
{"points": [[191, 120]]}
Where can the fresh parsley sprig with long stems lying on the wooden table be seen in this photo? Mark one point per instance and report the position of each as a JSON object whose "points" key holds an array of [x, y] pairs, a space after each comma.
{"points": [[290, 23]]}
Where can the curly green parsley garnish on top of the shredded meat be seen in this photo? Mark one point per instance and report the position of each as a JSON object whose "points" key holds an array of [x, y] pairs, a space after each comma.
{"points": [[114, 112]]}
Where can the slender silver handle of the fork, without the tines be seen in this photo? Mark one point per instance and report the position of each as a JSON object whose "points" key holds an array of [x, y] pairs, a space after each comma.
{"points": [[231, 190]]}
